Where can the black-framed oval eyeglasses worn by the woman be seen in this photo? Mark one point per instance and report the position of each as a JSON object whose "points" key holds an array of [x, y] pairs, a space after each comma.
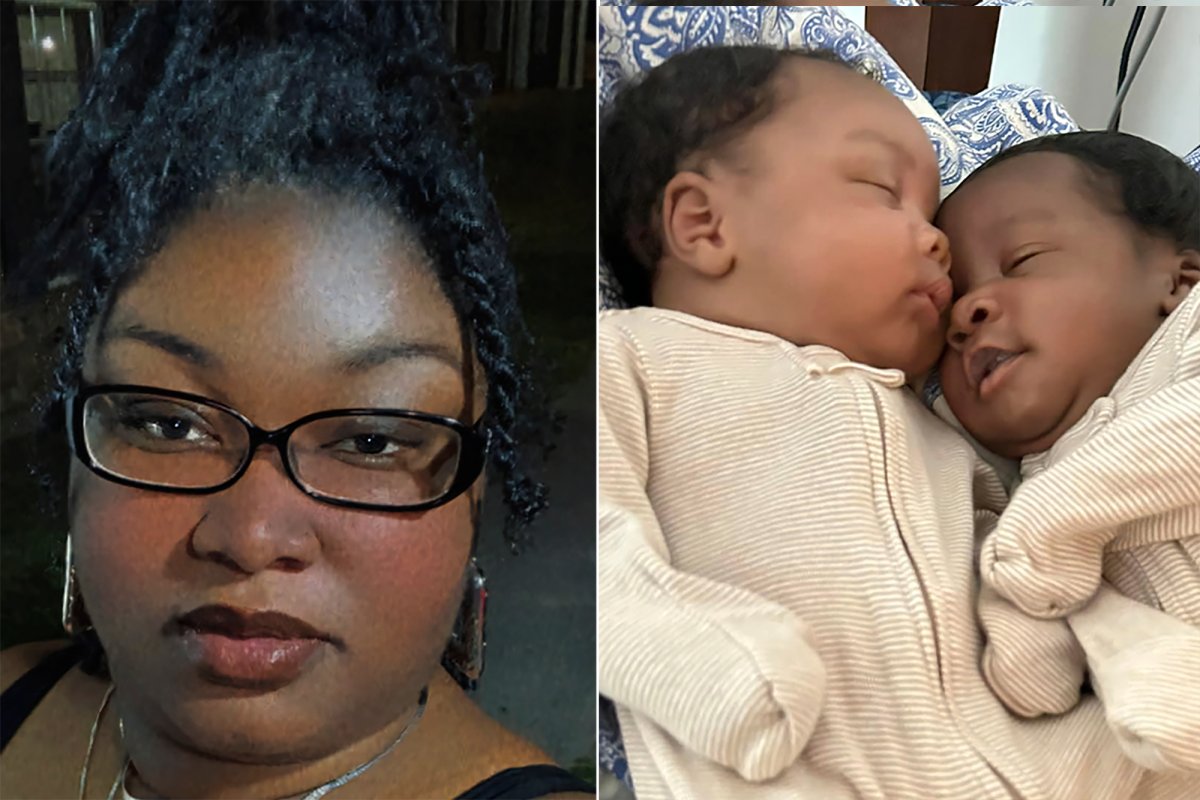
{"points": [[383, 460]]}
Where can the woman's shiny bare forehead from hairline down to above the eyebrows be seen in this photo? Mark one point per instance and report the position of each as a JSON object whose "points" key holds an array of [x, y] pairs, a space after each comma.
{"points": [[289, 266]]}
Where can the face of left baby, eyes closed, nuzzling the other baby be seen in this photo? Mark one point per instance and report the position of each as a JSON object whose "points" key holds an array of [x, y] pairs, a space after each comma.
{"points": [[832, 199]]}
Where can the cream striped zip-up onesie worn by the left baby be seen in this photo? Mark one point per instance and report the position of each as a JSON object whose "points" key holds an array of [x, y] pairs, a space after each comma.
{"points": [[788, 584]]}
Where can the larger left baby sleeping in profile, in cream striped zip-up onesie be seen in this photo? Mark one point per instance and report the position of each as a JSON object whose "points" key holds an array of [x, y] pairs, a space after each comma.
{"points": [[788, 537]]}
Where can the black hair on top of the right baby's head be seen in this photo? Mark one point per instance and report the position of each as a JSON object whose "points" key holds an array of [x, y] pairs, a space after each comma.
{"points": [[1149, 185]]}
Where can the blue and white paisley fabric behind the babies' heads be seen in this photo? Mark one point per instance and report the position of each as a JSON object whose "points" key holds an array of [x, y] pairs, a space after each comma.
{"points": [[635, 39]]}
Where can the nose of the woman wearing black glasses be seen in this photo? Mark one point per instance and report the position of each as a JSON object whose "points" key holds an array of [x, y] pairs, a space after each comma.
{"points": [[262, 522]]}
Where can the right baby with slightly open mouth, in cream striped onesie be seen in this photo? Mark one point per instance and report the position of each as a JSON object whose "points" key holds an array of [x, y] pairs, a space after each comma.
{"points": [[1076, 347]]}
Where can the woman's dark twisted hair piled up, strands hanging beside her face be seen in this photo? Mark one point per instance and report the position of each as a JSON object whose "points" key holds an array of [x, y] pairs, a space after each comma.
{"points": [[357, 100]]}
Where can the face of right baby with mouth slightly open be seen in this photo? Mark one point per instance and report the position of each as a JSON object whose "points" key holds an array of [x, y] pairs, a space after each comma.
{"points": [[1055, 299]]}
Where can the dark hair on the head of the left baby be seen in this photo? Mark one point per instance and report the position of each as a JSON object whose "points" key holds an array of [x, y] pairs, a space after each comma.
{"points": [[695, 103]]}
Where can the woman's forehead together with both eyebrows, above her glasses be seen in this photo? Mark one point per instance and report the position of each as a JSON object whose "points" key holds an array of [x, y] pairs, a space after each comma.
{"points": [[293, 286]]}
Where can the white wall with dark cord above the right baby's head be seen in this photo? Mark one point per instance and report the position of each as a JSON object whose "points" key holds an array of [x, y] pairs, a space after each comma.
{"points": [[1075, 55]]}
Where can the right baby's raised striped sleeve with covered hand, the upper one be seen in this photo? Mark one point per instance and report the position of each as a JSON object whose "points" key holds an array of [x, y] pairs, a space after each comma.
{"points": [[1047, 554]]}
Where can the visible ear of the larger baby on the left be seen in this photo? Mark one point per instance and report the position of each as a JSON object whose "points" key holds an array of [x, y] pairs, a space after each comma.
{"points": [[695, 231]]}
